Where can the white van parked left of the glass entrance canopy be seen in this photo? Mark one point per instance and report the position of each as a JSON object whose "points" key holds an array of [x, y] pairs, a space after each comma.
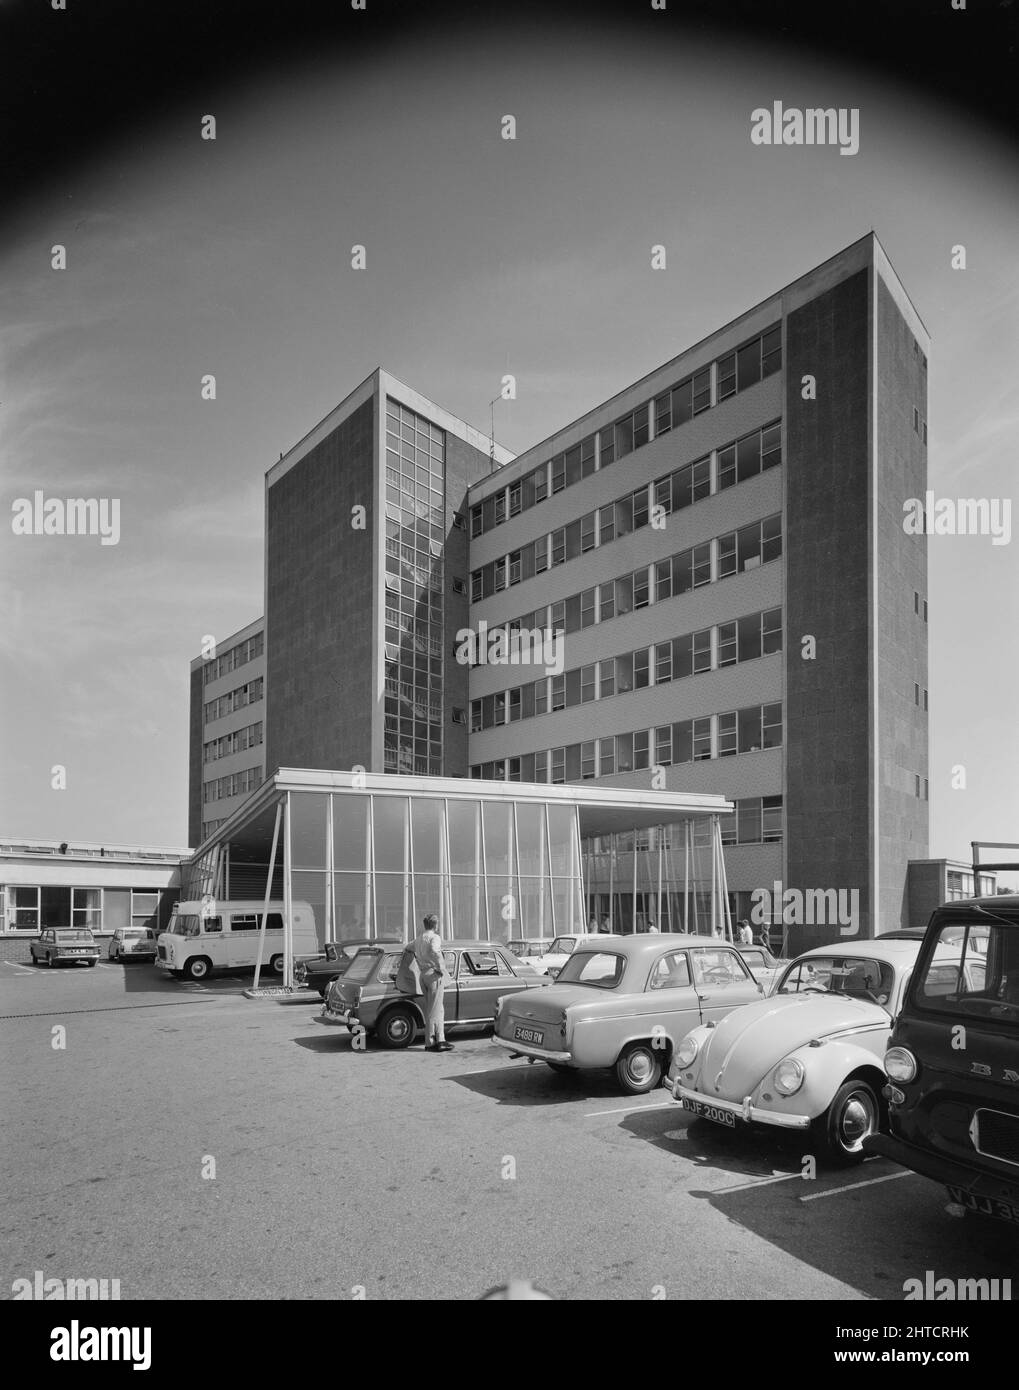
{"points": [[216, 935]]}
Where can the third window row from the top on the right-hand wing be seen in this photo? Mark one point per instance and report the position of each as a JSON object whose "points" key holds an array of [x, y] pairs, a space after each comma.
{"points": [[707, 564]]}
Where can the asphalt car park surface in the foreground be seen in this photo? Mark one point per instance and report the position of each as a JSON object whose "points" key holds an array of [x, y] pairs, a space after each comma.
{"points": [[339, 1168]]}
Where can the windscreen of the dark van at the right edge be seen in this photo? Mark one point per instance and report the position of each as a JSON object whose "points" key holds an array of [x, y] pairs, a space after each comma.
{"points": [[972, 972]]}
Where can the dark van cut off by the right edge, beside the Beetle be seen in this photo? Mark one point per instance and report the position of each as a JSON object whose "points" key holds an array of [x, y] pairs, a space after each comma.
{"points": [[953, 1060]]}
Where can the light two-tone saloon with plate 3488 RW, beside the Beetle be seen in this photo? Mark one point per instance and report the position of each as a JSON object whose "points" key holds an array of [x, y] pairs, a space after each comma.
{"points": [[625, 1003]]}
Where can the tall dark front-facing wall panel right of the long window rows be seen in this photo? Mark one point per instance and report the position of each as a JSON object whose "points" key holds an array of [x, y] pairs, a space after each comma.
{"points": [[828, 772]]}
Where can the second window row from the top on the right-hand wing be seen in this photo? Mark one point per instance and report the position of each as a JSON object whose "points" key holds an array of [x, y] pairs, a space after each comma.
{"points": [[722, 469]]}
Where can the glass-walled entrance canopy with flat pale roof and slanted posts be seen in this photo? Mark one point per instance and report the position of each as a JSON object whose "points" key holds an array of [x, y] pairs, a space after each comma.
{"points": [[497, 861]]}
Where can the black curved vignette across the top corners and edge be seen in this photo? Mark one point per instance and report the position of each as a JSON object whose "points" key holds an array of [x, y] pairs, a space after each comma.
{"points": [[74, 80]]}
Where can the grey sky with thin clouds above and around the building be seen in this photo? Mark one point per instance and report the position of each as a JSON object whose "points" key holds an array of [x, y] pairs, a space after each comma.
{"points": [[484, 256]]}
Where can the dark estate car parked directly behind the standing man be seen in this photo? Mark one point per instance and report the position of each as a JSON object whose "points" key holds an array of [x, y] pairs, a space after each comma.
{"points": [[480, 974]]}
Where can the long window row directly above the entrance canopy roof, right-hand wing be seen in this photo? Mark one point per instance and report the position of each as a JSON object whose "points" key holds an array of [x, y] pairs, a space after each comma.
{"points": [[686, 742]]}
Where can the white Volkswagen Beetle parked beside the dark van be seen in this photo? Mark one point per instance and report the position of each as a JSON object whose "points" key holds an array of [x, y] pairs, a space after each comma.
{"points": [[810, 1057]]}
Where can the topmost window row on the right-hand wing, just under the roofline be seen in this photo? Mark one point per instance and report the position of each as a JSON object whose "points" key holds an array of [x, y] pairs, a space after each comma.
{"points": [[692, 397]]}
